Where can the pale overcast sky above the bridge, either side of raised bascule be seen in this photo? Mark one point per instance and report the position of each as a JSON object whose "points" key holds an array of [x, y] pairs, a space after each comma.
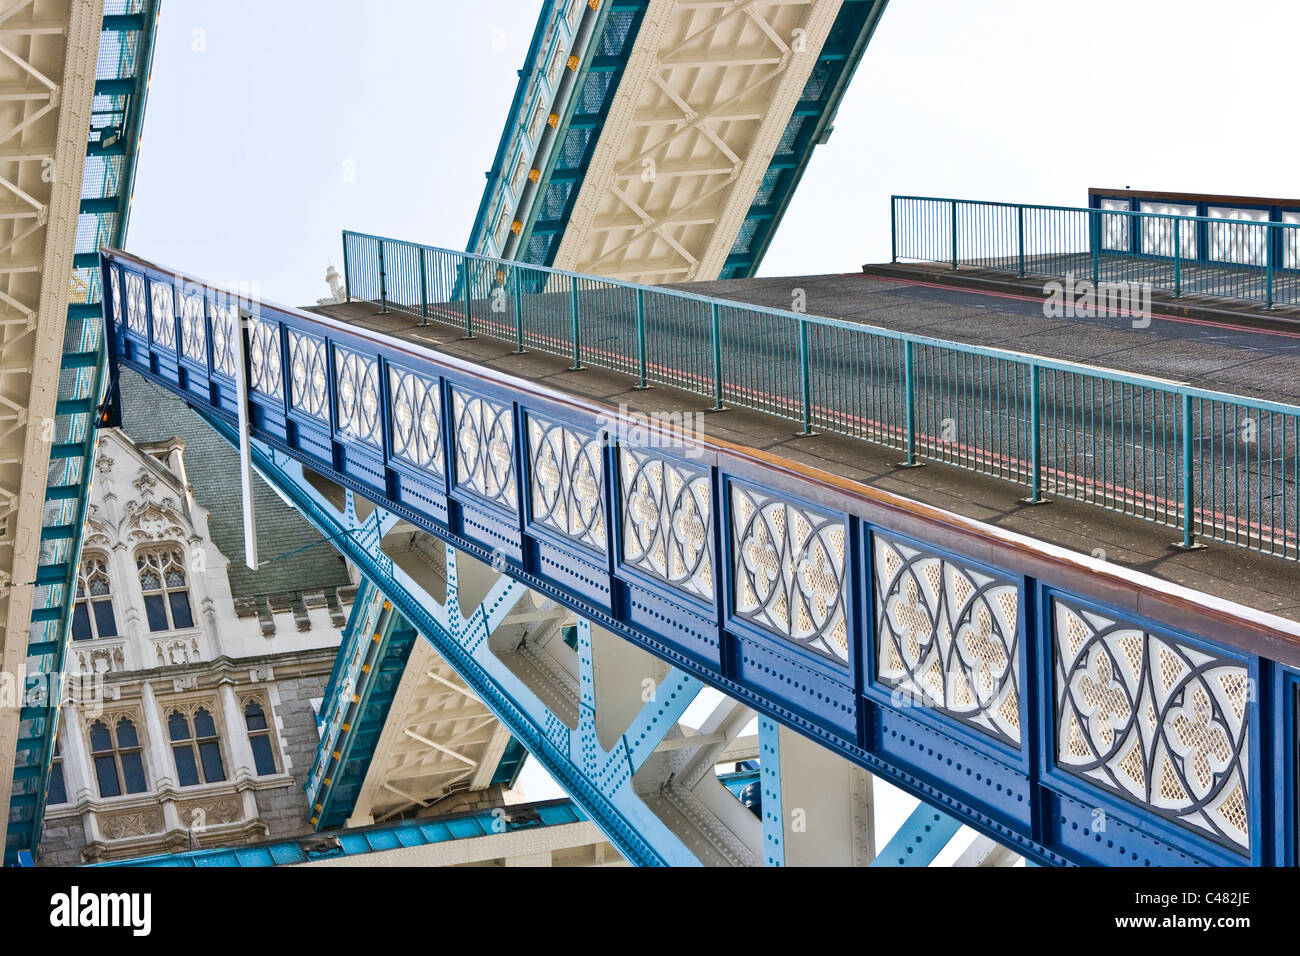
{"points": [[274, 126]]}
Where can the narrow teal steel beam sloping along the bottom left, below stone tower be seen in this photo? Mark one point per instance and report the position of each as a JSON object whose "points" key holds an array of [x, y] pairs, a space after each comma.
{"points": [[363, 841]]}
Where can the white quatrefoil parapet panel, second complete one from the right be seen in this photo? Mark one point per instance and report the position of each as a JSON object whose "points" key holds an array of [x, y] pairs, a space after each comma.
{"points": [[948, 637]]}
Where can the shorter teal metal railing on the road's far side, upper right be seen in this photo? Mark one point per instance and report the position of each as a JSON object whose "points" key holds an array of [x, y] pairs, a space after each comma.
{"points": [[1253, 259]]}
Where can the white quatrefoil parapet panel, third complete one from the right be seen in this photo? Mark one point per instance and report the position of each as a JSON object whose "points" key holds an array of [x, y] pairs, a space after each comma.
{"points": [[788, 572]]}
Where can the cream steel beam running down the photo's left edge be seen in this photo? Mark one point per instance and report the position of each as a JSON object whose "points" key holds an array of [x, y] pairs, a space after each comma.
{"points": [[49, 53]]}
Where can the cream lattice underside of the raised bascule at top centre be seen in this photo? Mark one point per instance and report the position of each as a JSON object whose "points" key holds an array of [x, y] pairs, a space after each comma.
{"points": [[700, 113]]}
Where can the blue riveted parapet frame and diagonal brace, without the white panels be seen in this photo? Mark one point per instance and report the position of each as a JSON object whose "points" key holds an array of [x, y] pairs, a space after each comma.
{"points": [[1012, 793]]}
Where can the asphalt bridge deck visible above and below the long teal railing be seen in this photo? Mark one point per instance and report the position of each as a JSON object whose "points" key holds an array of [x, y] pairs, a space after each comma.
{"points": [[1238, 361]]}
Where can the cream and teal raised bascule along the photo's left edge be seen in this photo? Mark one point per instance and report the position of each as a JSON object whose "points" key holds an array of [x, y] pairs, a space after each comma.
{"points": [[75, 76]]}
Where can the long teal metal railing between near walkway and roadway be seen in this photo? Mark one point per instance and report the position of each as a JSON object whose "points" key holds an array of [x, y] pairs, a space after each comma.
{"points": [[1211, 465]]}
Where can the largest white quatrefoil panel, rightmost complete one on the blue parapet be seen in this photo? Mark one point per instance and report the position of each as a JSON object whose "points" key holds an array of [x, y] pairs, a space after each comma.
{"points": [[1154, 720]]}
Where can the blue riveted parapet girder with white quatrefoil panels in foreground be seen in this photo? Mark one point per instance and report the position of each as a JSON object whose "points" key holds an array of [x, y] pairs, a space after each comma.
{"points": [[1034, 768]]}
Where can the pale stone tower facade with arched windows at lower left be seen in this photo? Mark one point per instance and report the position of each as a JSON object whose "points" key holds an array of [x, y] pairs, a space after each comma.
{"points": [[193, 720]]}
